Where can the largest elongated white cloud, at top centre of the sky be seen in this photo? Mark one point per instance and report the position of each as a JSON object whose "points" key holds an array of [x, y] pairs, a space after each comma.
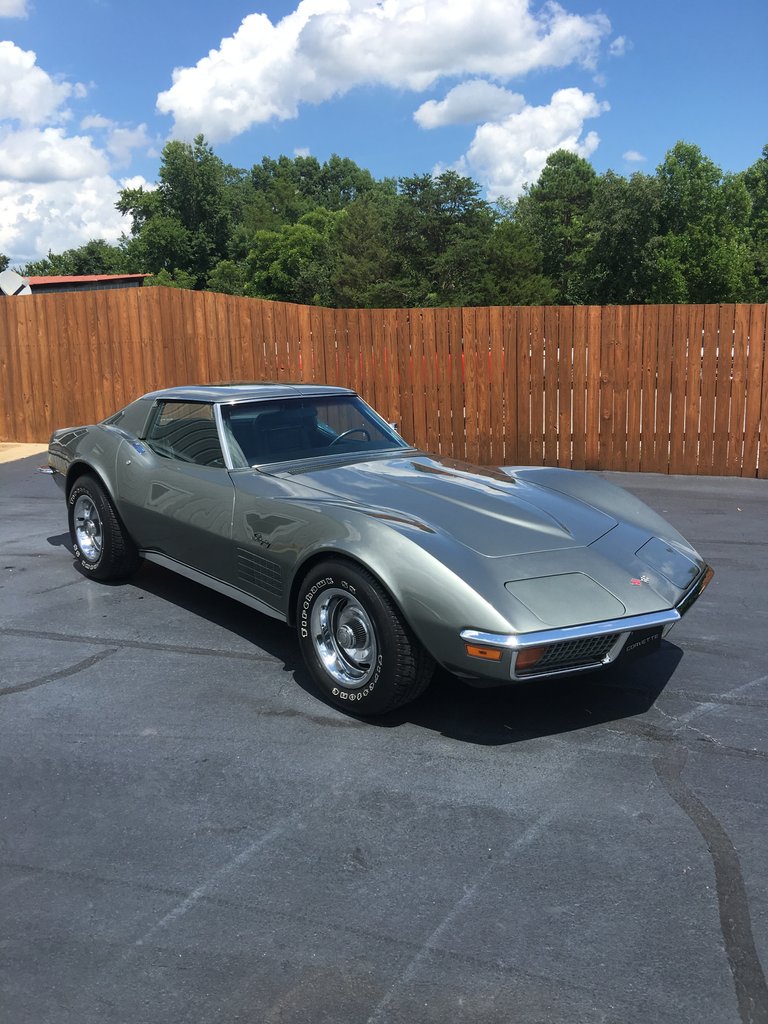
{"points": [[327, 48]]}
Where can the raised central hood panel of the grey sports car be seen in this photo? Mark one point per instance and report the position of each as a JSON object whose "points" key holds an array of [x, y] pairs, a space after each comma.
{"points": [[489, 510]]}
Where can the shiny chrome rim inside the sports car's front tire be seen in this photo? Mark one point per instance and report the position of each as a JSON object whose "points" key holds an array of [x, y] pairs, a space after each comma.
{"points": [[345, 638]]}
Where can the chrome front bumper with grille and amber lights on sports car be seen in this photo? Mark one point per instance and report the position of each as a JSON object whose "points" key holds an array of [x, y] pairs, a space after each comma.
{"points": [[584, 649]]}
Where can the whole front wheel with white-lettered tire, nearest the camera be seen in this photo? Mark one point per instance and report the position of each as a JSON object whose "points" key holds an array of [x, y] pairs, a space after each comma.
{"points": [[355, 643]]}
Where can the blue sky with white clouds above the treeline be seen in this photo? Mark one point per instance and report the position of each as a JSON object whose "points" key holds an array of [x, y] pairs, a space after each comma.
{"points": [[90, 96]]}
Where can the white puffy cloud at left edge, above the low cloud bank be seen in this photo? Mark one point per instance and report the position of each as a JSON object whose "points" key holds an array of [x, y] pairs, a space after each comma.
{"points": [[27, 93]]}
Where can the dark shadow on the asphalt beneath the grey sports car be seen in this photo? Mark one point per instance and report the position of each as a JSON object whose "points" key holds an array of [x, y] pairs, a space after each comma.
{"points": [[485, 716]]}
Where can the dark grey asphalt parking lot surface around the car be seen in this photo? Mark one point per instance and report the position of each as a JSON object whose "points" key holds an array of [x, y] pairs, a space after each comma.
{"points": [[189, 834]]}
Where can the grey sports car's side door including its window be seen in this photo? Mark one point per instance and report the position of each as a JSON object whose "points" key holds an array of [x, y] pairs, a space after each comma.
{"points": [[176, 494]]}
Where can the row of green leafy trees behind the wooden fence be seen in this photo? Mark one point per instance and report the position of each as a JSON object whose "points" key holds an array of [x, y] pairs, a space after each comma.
{"points": [[330, 234]]}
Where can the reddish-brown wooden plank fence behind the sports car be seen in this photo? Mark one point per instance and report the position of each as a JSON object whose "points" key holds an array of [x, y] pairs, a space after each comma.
{"points": [[680, 390]]}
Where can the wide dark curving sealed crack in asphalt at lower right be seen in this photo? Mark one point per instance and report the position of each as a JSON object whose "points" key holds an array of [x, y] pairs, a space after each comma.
{"points": [[736, 923]]}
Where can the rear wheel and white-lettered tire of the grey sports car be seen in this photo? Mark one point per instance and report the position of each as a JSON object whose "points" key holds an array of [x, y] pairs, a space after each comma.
{"points": [[102, 546]]}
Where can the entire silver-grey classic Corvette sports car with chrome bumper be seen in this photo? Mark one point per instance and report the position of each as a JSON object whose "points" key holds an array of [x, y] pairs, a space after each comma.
{"points": [[303, 503]]}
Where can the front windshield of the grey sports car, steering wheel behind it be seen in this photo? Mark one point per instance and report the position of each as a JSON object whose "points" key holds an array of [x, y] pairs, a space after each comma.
{"points": [[263, 433]]}
